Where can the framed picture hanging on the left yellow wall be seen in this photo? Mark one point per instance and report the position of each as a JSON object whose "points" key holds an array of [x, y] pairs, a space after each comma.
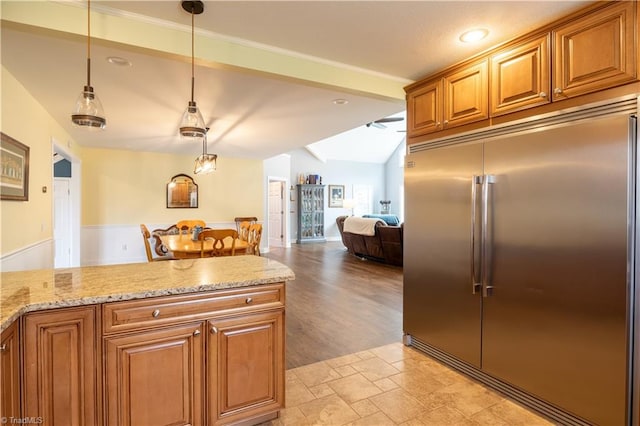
{"points": [[14, 169]]}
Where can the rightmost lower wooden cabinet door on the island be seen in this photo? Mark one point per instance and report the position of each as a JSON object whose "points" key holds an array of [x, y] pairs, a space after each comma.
{"points": [[245, 366]]}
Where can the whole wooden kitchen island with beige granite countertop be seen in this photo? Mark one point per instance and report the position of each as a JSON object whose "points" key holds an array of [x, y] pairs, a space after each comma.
{"points": [[194, 341]]}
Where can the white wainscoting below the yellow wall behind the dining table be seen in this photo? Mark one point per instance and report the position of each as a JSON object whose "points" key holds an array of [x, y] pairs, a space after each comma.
{"points": [[114, 244]]}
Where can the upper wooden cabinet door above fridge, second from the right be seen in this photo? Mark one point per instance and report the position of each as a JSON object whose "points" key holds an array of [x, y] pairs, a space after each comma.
{"points": [[520, 76]]}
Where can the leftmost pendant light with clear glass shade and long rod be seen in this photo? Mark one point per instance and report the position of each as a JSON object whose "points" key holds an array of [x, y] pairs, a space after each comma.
{"points": [[88, 110]]}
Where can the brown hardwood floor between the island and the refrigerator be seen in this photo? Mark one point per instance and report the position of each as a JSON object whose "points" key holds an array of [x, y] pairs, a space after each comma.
{"points": [[338, 304]]}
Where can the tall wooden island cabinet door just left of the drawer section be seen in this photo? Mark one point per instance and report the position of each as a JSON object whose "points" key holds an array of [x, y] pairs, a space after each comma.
{"points": [[60, 366]]}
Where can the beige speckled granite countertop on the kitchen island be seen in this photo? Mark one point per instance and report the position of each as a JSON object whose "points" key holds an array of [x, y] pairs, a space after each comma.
{"points": [[28, 291]]}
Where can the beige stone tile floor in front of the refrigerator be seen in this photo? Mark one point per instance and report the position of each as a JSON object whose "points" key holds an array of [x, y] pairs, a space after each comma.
{"points": [[394, 385]]}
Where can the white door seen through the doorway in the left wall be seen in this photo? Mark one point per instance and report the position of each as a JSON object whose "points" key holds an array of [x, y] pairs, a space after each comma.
{"points": [[62, 222]]}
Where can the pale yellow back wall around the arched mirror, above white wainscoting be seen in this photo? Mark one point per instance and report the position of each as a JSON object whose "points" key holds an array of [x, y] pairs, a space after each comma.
{"points": [[126, 187]]}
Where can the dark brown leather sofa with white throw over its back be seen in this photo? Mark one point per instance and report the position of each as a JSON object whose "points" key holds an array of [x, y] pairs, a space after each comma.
{"points": [[385, 245]]}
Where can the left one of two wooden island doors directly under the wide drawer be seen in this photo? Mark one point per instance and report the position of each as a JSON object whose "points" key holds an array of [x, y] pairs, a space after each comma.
{"points": [[155, 377]]}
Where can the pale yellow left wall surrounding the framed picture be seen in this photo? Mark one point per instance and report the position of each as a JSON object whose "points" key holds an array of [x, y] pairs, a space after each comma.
{"points": [[24, 223]]}
